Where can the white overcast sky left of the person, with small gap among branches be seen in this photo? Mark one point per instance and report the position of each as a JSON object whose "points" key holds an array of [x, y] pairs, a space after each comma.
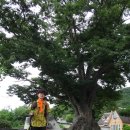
{"points": [[12, 102]]}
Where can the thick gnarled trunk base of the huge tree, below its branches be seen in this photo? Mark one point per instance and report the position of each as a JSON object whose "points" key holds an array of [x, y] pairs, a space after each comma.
{"points": [[83, 119]]}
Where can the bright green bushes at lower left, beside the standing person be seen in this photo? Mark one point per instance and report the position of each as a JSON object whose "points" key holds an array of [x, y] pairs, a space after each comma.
{"points": [[13, 118]]}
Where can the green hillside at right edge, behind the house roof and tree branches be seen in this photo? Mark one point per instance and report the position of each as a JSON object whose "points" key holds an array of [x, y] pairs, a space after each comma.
{"points": [[125, 100]]}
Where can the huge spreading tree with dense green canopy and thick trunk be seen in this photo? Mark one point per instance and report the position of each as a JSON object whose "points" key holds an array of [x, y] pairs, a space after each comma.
{"points": [[81, 48]]}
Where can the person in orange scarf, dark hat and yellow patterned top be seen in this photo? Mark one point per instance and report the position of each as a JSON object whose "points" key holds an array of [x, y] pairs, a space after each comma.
{"points": [[39, 112]]}
